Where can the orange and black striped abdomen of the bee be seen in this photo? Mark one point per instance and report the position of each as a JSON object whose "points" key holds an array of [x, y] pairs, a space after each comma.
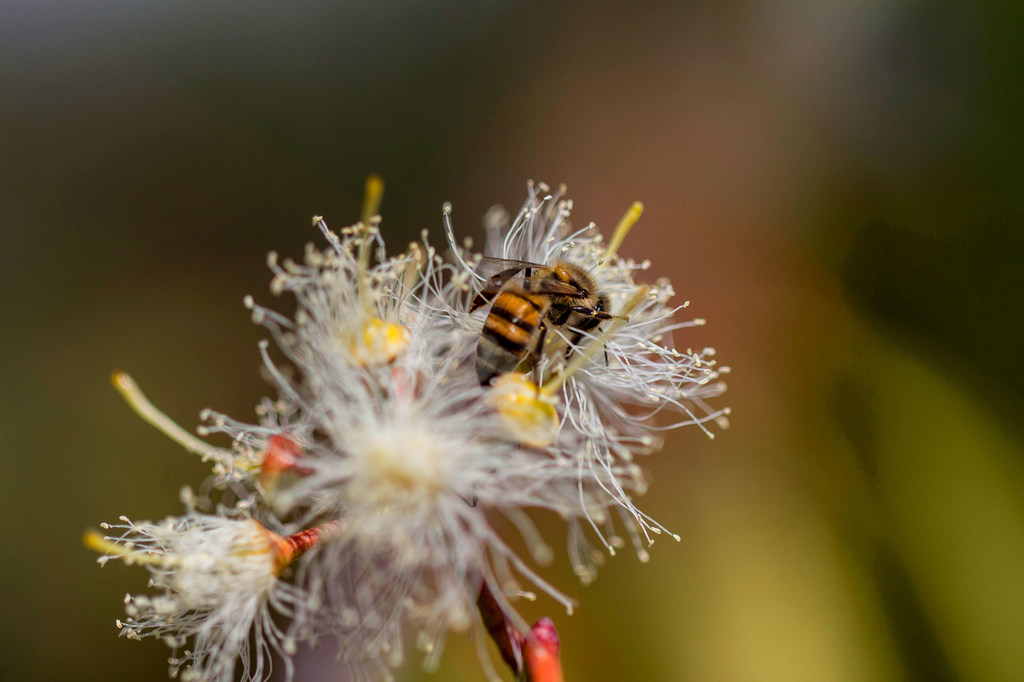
{"points": [[508, 334]]}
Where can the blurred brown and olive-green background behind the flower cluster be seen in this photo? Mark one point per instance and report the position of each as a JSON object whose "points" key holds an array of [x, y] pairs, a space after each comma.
{"points": [[836, 186]]}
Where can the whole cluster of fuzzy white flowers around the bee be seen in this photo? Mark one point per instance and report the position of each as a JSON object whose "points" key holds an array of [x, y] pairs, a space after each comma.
{"points": [[382, 432]]}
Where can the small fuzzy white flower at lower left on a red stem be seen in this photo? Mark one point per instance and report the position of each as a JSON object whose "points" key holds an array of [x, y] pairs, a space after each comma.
{"points": [[218, 583]]}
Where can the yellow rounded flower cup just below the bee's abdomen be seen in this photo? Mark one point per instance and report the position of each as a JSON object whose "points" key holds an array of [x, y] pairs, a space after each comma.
{"points": [[528, 414]]}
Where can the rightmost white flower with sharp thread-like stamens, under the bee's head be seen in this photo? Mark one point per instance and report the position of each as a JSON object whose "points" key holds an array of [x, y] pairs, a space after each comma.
{"points": [[624, 379]]}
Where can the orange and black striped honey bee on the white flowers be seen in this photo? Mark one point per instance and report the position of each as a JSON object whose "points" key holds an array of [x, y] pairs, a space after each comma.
{"points": [[527, 300]]}
